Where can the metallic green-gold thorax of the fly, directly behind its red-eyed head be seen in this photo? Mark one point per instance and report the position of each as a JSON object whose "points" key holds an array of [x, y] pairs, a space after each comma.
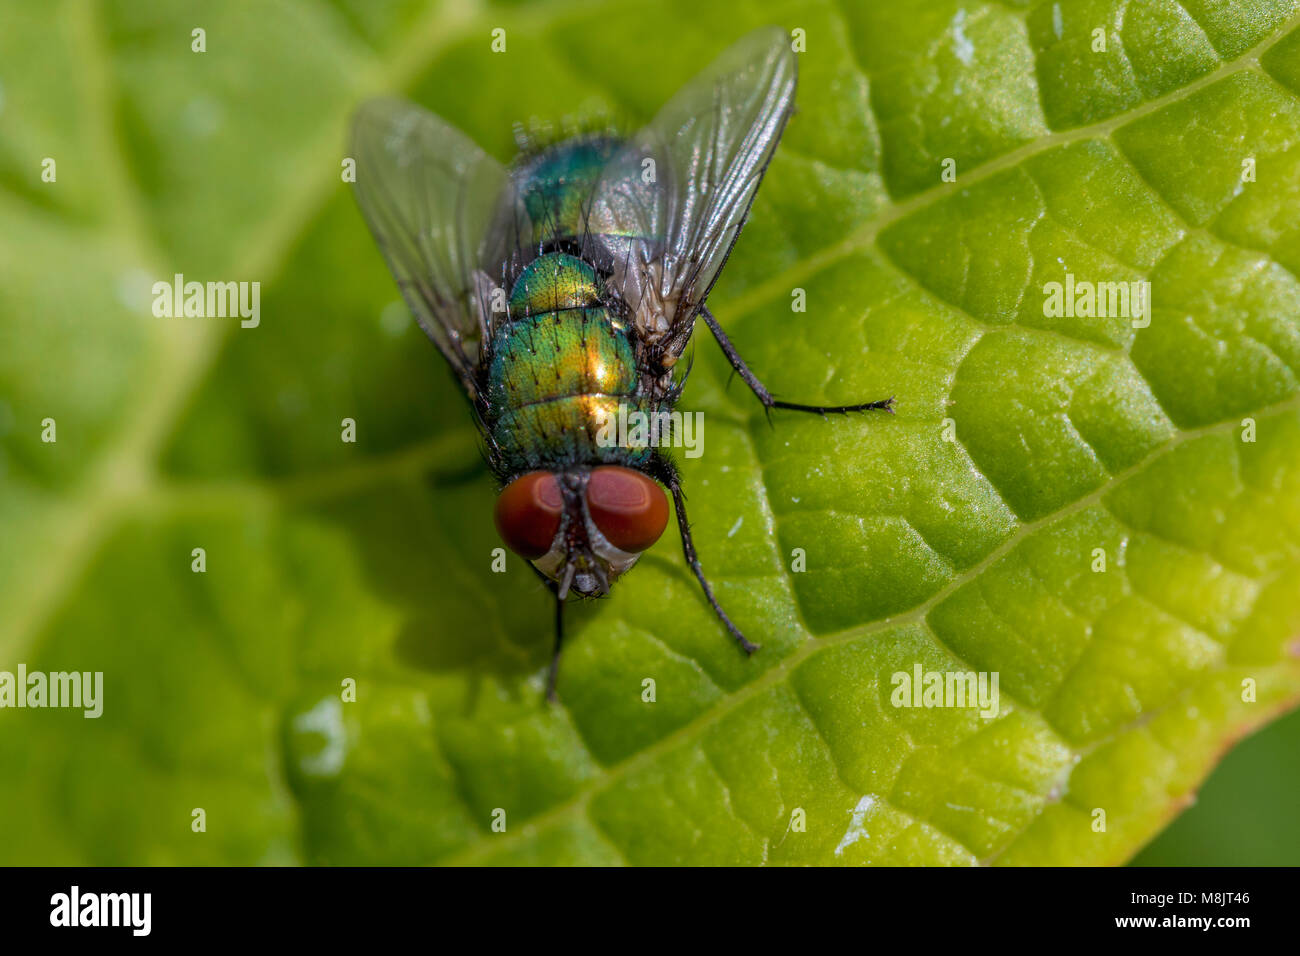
{"points": [[560, 370]]}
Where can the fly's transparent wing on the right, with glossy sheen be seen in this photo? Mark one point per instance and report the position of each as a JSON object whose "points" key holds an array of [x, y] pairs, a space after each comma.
{"points": [[710, 148]]}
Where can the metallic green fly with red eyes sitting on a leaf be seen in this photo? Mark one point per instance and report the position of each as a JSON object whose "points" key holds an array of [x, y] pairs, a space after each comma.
{"points": [[567, 287]]}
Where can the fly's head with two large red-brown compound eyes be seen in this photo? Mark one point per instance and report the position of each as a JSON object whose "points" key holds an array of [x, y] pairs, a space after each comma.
{"points": [[582, 529]]}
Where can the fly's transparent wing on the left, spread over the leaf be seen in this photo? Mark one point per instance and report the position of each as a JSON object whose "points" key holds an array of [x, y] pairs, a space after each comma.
{"points": [[428, 194]]}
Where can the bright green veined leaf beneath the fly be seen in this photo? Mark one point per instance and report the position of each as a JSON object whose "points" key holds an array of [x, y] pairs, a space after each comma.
{"points": [[961, 535]]}
